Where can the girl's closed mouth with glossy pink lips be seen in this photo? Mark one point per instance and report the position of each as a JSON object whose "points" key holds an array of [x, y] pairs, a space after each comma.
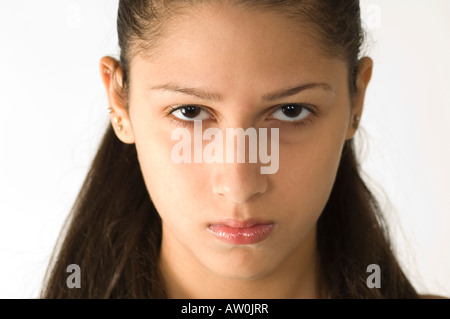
{"points": [[241, 233]]}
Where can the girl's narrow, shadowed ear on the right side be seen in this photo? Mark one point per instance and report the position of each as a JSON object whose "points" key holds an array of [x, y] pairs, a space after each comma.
{"points": [[363, 76]]}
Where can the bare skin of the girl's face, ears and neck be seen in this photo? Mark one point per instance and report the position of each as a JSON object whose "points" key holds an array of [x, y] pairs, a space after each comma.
{"points": [[231, 52]]}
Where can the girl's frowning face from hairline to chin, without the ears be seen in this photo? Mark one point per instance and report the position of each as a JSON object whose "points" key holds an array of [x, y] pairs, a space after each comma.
{"points": [[226, 63]]}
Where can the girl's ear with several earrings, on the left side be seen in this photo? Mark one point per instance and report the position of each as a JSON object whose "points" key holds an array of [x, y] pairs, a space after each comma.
{"points": [[112, 76]]}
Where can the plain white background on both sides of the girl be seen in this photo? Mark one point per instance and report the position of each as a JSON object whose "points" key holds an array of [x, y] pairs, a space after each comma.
{"points": [[54, 110]]}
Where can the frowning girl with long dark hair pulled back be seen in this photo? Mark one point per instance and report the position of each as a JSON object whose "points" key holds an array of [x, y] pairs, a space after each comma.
{"points": [[147, 226]]}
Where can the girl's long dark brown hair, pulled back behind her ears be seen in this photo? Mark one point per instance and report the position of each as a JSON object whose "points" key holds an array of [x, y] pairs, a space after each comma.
{"points": [[114, 231]]}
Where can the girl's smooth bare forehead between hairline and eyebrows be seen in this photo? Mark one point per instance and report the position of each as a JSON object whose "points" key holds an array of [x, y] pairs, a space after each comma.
{"points": [[230, 44]]}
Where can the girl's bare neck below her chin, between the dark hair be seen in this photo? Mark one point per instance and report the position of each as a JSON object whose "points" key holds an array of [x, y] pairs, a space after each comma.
{"points": [[295, 277]]}
